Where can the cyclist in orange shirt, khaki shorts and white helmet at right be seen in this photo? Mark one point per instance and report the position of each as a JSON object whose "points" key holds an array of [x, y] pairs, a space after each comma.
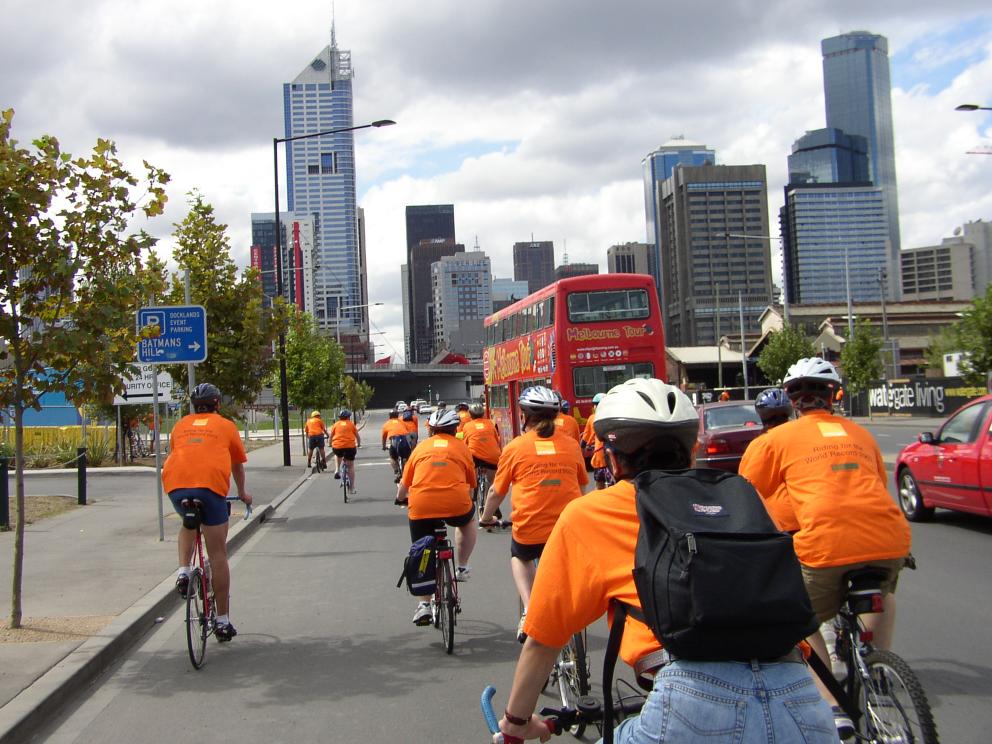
{"points": [[834, 476]]}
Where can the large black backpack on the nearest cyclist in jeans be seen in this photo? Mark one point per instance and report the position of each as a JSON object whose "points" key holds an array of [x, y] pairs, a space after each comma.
{"points": [[716, 579]]}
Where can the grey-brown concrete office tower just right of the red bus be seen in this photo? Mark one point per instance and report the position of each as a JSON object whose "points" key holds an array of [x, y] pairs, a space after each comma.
{"points": [[706, 263]]}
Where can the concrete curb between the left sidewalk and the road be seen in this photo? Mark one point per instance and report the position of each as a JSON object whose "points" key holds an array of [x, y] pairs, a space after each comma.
{"points": [[38, 704]]}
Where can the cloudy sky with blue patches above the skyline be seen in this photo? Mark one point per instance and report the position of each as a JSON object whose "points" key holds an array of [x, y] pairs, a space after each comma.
{"points": [[532, 118]]}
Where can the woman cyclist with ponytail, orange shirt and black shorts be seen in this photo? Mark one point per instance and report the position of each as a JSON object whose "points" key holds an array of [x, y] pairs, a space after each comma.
{"points": [[546, 469]]}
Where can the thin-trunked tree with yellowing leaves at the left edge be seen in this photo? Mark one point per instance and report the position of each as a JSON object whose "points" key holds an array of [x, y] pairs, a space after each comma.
{"points": [[72, 277]]}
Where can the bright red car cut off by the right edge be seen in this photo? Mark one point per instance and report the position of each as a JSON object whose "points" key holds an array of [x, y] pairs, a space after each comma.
{"points": [[952, 468]]}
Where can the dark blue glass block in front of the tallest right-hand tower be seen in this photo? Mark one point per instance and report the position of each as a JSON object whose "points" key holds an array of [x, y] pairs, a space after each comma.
{"points": [[829, 156]]}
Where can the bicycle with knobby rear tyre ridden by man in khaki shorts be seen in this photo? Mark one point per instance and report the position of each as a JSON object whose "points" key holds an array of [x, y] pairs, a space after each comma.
{"points": [[886, 695]]}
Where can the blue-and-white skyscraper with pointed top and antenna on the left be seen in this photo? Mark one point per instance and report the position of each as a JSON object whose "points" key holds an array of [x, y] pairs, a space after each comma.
{"points": [[320, 184]]}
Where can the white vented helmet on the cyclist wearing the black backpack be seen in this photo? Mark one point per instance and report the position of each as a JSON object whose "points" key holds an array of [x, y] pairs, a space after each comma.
{"points": [[642, 412]]}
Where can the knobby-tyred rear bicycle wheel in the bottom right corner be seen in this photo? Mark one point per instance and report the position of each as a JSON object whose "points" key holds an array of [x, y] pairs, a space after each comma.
{"points": [[895, 705]]}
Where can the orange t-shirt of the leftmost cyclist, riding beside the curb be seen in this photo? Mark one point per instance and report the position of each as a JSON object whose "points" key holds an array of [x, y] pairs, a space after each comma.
{"points": [[202, 449]]}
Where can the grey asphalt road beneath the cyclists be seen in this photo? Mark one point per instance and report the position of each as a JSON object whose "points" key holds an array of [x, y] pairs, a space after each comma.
{"points": [[326, 651]]}
